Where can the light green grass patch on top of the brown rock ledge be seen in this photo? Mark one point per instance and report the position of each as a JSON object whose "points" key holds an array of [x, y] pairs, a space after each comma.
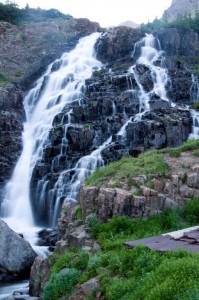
{"points": [[146, 163]]}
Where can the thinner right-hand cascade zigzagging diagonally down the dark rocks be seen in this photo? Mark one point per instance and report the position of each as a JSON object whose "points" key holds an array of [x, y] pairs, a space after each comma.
{"points": [[87, 164]]}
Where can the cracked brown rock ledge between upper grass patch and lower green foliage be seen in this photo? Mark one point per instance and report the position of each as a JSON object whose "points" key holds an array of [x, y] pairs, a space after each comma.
{"points": [[173, 191]]}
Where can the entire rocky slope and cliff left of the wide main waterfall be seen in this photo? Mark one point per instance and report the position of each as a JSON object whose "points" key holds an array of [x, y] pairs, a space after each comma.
{"points": [[25, 53]]}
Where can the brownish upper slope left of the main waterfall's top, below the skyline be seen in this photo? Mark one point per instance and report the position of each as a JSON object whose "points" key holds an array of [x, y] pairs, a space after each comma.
{"points": [[38, 41]]}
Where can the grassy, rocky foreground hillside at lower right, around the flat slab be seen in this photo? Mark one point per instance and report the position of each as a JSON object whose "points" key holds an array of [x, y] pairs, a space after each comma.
{"points": [[108, 214]]}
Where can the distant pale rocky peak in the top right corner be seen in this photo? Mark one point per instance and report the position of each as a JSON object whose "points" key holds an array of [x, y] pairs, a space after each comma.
{"points": [[180, 7]]}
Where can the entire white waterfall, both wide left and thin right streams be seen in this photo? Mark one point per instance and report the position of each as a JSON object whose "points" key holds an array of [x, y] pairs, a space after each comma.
{"points": [[55, 95]]}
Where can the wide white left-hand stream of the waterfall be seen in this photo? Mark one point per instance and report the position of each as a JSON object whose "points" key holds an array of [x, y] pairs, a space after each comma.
{"points": [[61, 85]]}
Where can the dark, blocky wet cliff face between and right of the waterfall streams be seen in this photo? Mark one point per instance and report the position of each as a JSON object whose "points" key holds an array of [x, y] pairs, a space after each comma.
{"points": [[109, 102]]}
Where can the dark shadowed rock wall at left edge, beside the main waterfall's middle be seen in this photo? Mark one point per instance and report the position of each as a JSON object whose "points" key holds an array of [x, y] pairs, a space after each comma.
{"points": [[11, 117]]}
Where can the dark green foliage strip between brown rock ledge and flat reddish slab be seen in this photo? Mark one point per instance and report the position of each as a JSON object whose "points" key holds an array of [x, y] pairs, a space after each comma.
{"points": [[121, 229]]}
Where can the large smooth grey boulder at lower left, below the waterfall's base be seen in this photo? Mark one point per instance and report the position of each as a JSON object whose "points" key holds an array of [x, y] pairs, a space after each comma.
{"points": [[16, 254]]}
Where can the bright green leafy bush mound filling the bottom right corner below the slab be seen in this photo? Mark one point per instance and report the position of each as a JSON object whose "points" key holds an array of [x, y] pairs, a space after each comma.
{"points": [[172, 278]]}
